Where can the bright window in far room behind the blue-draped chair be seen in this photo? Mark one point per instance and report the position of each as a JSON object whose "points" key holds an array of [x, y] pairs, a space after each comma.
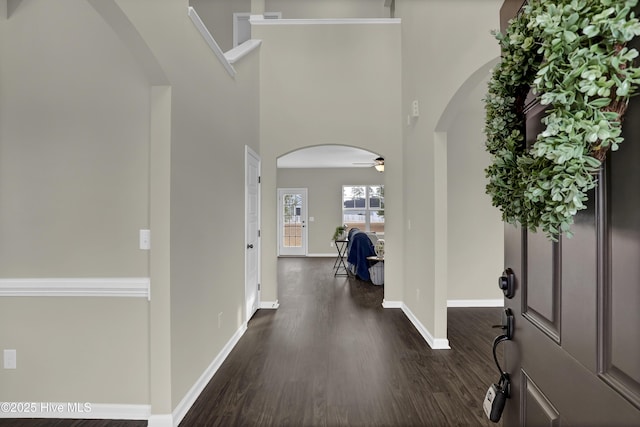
{"points": [[363, 207]]}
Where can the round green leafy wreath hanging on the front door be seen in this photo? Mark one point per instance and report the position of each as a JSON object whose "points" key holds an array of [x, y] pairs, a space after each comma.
{"points": [[574, 55]]}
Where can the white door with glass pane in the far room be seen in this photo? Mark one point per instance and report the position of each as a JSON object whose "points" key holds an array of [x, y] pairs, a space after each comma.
{"points": [[292, 221]]}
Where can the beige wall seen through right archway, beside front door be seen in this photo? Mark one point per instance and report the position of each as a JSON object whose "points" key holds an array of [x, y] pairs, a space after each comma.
{"points": [[475, 229]]}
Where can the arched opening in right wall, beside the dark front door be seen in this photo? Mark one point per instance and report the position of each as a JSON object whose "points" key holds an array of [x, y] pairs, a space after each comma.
{"points": [[471, 233]]}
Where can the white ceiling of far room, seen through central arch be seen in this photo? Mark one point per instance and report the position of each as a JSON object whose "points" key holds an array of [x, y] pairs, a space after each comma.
{"points": [[328, 156]]}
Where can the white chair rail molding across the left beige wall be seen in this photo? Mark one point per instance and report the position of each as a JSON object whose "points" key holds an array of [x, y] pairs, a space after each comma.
{"points": [[136, 287]]}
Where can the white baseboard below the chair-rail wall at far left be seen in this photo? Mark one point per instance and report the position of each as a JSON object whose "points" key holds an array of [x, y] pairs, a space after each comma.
{"points": [[76, 410]]}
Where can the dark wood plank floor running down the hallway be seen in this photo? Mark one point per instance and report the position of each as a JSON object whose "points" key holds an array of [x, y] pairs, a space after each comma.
{"points": [[332, 356]]}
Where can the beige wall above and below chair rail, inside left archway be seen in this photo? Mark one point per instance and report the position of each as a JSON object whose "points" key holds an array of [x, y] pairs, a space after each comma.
{"points": [[74, 144]]}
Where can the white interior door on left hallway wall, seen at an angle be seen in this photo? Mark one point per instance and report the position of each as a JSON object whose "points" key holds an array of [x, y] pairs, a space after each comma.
{"points": [[252, 232]]}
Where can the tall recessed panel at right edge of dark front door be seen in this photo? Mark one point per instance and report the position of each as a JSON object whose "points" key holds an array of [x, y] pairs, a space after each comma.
{"points": [[619, 353]]}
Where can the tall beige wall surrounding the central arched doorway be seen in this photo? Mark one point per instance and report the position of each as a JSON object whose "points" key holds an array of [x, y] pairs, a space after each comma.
{"points": [[331, 84]]}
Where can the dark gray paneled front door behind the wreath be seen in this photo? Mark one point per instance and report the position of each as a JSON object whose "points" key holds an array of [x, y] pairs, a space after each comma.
{"points": [[575, 355]]}
